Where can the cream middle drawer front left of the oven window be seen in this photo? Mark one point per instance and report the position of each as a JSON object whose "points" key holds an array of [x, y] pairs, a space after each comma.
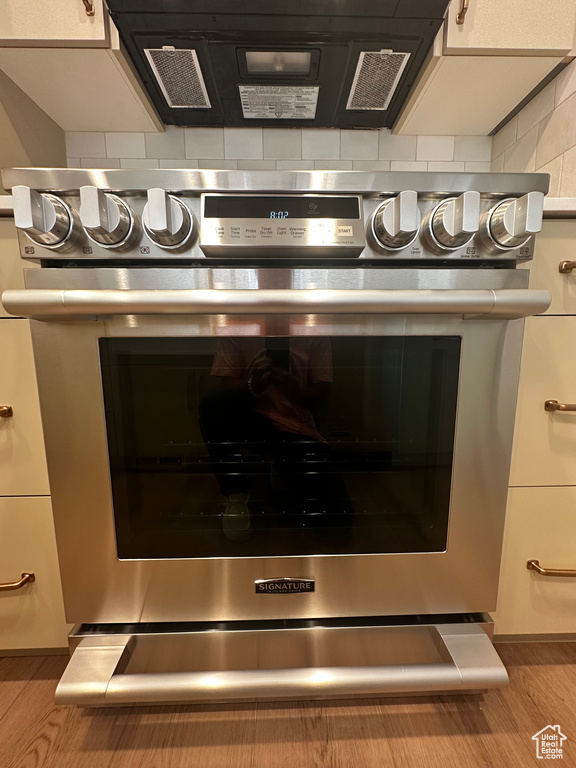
{"points": [[22, 457]]}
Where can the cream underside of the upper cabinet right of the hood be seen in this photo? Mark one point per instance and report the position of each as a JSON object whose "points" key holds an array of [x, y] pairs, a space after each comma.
{"points": [[458, 95]]}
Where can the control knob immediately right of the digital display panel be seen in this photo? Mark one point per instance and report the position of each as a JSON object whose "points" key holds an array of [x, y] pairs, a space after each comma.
{"points": [[395, 223]]}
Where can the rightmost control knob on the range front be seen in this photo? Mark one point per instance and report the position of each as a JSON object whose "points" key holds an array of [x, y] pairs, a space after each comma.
{"points": [[512, 222]]}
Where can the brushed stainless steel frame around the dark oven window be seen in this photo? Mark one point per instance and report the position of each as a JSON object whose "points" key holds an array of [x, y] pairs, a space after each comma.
{"points": [[99, 588]]}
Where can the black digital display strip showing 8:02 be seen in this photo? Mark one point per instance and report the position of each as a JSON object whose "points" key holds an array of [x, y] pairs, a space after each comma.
{"points": [[272, 207]]}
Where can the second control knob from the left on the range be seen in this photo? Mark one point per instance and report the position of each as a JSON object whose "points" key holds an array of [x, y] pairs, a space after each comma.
{"points": [[107, 220]]}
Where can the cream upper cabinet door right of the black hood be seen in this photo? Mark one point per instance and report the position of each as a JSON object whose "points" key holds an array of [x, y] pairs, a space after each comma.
{"points": [[529, 27]]}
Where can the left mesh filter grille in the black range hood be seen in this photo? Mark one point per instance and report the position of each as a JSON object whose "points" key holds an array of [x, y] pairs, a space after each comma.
{"points": [[179, 76]]}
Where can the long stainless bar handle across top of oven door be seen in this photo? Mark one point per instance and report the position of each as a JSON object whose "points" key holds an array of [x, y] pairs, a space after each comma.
{"points": [[501, 303]]}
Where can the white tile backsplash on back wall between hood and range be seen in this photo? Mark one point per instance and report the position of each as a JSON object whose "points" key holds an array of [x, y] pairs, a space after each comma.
{"points": [[276, 148]]}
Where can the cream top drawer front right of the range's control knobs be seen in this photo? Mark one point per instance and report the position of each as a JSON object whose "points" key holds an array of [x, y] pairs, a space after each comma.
{"points": [[556, 243]]}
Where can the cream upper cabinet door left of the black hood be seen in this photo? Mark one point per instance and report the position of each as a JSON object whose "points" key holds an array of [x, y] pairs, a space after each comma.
{"points": [[57, 22]]}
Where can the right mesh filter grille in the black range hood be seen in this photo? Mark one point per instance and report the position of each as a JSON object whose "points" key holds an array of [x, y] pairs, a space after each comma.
{"points": [[377, 76]]}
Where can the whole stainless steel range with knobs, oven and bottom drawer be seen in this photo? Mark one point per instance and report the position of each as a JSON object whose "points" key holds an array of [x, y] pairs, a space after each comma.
{"points": [[278, 410]]}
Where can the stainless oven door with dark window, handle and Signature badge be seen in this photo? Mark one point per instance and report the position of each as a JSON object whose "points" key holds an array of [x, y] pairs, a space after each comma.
{"points": [[244, 444]]}
